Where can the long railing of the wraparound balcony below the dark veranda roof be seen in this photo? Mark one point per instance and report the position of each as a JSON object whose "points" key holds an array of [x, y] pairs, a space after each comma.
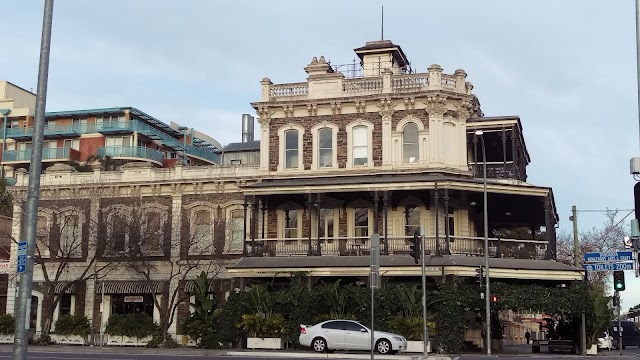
{"points": [[353, 246]]}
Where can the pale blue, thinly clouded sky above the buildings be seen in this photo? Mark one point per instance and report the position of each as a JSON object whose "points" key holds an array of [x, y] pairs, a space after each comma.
{"points": [[567, 68]]}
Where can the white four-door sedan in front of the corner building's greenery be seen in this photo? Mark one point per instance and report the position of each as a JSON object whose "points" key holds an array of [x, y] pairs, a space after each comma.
{"points": [[349, 335]]}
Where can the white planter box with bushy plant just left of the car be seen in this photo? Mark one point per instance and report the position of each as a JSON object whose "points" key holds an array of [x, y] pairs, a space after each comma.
{"points": [[264, 332]]}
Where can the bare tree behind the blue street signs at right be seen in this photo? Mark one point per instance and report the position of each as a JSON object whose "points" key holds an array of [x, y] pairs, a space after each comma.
{"points": [[609, 236]]}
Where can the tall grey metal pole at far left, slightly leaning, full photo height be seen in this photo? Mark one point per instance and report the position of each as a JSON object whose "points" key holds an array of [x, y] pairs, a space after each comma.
{"points": [[20, 345]]}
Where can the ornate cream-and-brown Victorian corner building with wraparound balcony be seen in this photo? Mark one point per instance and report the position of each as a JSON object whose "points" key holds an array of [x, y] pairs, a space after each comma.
{"points": [[384, 151]]}
